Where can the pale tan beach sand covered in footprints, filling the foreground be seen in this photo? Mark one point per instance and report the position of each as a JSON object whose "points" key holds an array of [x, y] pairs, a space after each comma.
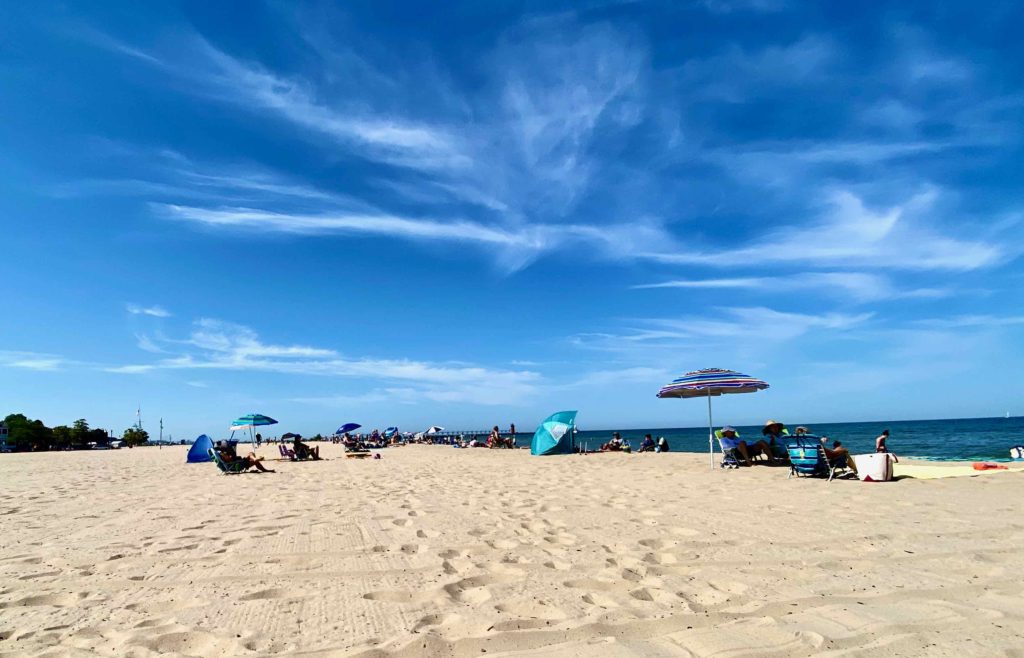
{"points": [[433, 551]]}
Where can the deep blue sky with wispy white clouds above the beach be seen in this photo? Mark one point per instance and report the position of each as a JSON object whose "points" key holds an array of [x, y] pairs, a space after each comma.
{"points": [[402, 214]]}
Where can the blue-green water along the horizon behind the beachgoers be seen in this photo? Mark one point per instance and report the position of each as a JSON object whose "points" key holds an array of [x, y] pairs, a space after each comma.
{"points": [[972, 440]]}
